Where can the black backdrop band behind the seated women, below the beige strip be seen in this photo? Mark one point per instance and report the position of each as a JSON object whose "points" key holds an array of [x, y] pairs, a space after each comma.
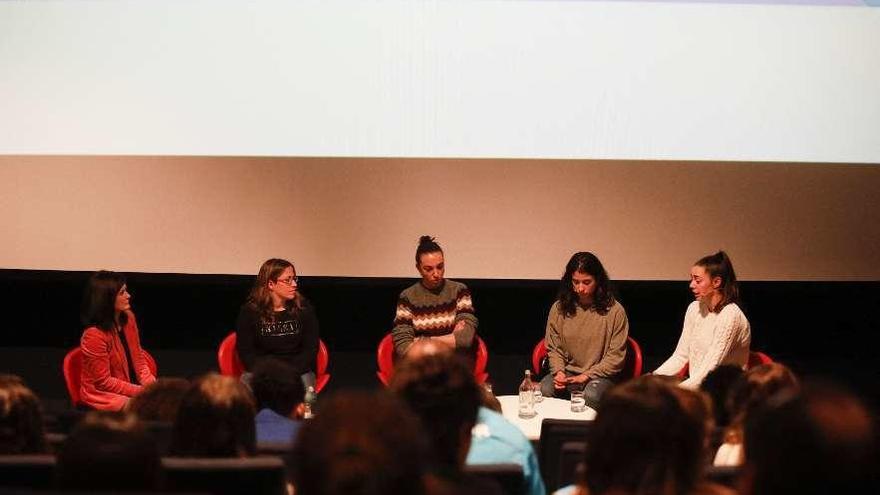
{"points": [[818, 328]]}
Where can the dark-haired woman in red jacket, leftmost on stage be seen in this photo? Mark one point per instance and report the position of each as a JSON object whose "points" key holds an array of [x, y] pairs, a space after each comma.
{"points": [[114, 368]]}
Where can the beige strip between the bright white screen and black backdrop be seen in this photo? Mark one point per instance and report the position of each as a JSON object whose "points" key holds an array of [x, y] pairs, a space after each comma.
{"points": [[495, 218]]}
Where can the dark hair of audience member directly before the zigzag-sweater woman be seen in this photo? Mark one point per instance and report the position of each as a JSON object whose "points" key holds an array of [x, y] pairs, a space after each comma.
{"points": [[441, 390]]}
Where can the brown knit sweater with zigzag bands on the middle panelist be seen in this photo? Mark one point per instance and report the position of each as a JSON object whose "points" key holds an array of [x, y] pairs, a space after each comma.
{"points": [[424, 312]]}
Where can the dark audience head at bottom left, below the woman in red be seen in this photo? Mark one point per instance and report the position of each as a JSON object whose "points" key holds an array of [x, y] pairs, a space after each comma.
{"points": [[109, 451]]}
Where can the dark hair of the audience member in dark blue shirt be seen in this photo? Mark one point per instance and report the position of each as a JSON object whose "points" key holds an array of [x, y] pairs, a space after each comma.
{"points": [[276, 385]]}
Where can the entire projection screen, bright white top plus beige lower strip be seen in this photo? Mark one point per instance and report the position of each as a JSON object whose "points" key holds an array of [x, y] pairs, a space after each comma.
{"points": [[207, 136]]}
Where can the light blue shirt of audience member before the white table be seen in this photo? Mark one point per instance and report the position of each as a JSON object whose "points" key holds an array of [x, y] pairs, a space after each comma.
{"points": [[496, 441]]}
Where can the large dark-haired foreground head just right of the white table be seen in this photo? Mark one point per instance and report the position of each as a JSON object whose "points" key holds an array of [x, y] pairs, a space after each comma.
{"points": [[643, 441]]}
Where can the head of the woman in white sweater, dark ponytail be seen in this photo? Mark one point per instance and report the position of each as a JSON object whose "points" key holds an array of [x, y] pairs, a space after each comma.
{"points": [[713, 281]]}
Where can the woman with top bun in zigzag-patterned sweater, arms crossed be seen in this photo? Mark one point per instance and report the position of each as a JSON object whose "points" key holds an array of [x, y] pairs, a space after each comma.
{"points": [[434, 307]]}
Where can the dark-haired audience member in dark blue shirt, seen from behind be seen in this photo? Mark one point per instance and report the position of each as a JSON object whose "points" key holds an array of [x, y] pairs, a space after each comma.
{"points": [[279, 394]]}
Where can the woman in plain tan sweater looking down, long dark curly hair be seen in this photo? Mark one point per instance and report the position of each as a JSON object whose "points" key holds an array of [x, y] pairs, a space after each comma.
{"points": [[586, 332]]}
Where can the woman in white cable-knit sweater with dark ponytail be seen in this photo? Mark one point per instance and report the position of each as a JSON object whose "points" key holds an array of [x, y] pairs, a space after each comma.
{"points": [[715, 329]]}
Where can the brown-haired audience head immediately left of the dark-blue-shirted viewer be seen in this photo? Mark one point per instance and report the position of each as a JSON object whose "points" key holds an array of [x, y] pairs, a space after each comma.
{"points": [[215, 419]]}
